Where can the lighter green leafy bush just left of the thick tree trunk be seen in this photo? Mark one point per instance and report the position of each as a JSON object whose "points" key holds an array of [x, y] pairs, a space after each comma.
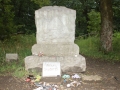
{"points": [[94, 22]]}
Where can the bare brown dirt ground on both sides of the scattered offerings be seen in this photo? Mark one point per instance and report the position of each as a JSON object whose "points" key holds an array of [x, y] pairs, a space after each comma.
{"points": [[109, 72]]}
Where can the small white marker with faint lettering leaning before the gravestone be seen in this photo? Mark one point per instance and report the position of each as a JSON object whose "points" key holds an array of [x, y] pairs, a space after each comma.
{"points": [[51, 69]]}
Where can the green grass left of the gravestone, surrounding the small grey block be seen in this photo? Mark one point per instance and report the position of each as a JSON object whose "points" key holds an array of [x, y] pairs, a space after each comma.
{"points": [[20, 44]]}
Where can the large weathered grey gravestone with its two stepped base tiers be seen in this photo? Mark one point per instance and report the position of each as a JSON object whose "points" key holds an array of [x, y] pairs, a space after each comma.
{"points": [[55, 40]]}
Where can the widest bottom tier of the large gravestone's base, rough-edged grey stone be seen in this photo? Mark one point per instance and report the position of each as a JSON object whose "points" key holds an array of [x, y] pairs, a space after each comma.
{"points": [[73, 64]]}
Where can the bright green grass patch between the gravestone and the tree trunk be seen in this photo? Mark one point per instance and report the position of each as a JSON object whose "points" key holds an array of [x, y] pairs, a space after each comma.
{"points": [[88, 46]]}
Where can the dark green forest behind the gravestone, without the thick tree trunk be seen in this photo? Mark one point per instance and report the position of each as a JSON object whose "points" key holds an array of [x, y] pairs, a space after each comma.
{"points": [[18, 16]]}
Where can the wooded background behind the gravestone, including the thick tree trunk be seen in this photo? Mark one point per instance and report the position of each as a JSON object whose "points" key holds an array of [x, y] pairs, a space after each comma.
{"points": [[100, 17]]}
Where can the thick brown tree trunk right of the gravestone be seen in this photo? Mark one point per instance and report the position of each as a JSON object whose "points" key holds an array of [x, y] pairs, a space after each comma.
{"points": [[106, 25]]}
